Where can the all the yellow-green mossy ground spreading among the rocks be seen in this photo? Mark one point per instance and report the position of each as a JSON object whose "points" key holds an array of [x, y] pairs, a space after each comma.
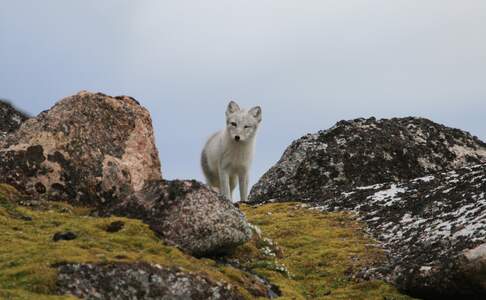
{"points": [[308, 255]]}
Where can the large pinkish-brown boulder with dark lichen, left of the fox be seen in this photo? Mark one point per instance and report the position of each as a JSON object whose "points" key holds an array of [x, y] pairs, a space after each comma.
{"points": [[89, 148]]}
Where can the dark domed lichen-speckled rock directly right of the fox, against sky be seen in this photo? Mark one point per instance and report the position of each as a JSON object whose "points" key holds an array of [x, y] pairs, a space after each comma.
{"points": [[364, 152]]}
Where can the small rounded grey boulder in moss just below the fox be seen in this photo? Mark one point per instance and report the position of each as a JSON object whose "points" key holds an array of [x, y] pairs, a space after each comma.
{"points": [[187, 214]]}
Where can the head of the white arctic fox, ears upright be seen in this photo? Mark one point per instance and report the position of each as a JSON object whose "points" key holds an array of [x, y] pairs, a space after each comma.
{"points": [[242, 124]]}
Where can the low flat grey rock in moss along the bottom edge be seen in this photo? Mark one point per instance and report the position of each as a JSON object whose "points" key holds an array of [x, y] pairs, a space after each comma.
{"points": [[138, 281]]}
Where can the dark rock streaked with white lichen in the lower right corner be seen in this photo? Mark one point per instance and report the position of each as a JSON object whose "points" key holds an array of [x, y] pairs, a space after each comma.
{"points": [[433, 229]]}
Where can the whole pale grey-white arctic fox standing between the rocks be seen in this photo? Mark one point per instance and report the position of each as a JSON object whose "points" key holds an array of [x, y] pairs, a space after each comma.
{"points": [[228, 153]]}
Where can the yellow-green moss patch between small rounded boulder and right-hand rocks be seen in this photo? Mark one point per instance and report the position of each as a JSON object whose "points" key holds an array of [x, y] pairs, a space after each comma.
{"points": [[319, 250]]}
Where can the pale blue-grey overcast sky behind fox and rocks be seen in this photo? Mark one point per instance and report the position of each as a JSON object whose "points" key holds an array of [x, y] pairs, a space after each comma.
{"points": [[308, 64]]}
